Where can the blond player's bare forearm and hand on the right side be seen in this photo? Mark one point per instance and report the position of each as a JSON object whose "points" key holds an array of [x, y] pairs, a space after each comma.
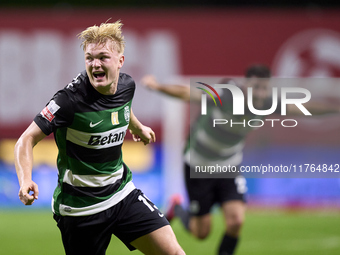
{"points": [[140, 133]]}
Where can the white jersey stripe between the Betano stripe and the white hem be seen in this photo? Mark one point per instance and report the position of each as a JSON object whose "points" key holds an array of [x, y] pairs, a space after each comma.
{"points": [[92, 180]]}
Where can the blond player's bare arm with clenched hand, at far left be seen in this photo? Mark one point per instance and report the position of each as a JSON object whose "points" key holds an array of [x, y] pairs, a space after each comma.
{"points": [[23, 156]]}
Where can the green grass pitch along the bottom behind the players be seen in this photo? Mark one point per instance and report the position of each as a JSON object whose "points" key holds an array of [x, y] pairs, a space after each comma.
{"points": [[32, 232]]}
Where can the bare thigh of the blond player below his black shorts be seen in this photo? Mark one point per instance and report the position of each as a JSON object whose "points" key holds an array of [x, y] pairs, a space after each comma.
{"points": [[159, 242]]}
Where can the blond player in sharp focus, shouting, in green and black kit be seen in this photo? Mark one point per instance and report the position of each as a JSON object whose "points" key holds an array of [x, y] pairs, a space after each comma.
{"points": [[95, 196]]}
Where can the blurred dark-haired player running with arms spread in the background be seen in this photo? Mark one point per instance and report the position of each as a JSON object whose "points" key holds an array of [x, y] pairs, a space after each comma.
{"points": [[224, 146]]}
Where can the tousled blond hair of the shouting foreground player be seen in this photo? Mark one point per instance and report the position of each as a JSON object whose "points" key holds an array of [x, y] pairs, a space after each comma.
{"points": [[100, 34]]}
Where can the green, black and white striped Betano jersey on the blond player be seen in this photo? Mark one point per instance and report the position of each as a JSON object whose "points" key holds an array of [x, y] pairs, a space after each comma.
{"points": [[89, 129]]}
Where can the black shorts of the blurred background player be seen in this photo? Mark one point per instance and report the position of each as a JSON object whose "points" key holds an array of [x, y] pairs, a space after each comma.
{"points": [[204, 193]]}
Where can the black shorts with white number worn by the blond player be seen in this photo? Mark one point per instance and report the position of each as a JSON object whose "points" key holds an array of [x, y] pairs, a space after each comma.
{"points": [[133, 217]]}
